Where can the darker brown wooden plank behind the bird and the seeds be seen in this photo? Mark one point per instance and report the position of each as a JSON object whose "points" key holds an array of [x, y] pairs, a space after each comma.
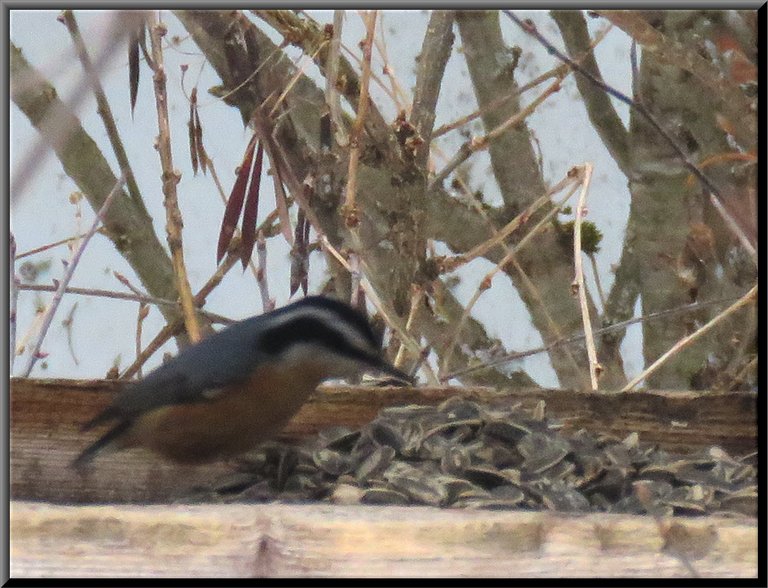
{"points": [[46, 416]]}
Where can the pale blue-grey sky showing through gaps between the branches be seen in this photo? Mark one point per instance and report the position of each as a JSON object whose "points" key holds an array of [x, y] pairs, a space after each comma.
{"points": [[103, 330]]}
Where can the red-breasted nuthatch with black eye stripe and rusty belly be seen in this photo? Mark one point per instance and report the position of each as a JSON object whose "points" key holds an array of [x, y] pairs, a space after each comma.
{"points": [[240, 386]]}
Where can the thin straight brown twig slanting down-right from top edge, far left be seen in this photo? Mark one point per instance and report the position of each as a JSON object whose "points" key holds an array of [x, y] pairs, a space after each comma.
{"points": [[104, 109]]}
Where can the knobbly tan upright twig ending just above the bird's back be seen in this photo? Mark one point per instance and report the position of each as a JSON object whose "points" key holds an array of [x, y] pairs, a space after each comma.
{"points": [[171, 178]]}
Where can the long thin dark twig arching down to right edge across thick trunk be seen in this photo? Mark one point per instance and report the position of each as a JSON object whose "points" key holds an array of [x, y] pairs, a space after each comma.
{"points": [[713, 191]]}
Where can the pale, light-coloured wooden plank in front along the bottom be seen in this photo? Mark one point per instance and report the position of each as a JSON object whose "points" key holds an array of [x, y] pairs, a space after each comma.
{"points": [[277, 540]]}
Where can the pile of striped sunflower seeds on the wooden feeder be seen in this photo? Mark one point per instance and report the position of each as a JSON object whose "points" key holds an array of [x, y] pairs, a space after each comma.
{"points": [[464, 454]]}
